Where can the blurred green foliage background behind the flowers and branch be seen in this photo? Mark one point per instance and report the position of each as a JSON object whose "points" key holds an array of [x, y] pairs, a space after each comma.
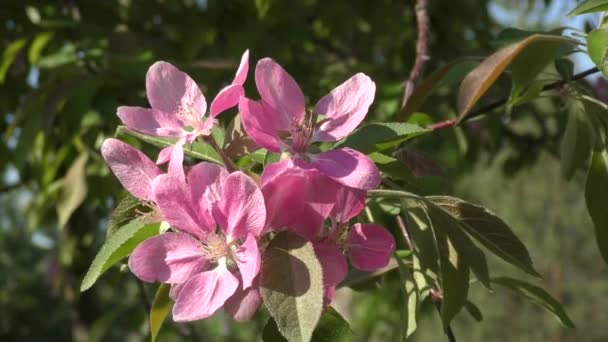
{"points": [[66, 65]]}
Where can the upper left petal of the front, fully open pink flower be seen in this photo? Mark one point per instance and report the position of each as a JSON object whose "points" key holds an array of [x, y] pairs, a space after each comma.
{"points": [[176, 206]]}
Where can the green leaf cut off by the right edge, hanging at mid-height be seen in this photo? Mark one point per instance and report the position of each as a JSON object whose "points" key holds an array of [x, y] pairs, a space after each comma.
{"points": [[596, 196]]}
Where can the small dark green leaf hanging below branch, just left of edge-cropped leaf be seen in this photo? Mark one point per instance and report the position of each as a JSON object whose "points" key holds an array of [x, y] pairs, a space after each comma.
{"points": [[575, 146]]}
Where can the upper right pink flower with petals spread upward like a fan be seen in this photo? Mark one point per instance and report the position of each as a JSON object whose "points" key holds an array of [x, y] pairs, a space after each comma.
{"points": [[279, 122]]}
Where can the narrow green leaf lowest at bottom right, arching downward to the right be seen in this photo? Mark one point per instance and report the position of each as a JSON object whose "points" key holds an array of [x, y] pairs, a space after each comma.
{"points": [[537, 296]]}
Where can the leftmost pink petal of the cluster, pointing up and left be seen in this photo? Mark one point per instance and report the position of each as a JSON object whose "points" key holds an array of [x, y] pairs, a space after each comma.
{"points": [[134, 170]]}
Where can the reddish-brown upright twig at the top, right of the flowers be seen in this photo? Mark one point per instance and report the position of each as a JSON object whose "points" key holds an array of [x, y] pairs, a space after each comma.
{"points": [[422, 20]]}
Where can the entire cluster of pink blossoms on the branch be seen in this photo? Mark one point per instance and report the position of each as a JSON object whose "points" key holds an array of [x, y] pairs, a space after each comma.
{"points": [[220, 220]]}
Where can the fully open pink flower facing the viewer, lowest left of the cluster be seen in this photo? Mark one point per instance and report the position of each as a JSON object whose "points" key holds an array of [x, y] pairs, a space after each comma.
{"points": [[207, 267]]}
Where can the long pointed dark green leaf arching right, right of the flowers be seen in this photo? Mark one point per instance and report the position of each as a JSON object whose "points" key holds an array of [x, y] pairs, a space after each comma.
{"points": [[491, 231]]}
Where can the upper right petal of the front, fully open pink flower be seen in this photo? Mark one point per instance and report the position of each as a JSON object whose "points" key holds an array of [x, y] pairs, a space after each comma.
{"points": [[241, 207]]}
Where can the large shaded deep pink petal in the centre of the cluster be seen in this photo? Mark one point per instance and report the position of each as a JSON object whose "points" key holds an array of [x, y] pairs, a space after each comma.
{"points": [[299, 200]]}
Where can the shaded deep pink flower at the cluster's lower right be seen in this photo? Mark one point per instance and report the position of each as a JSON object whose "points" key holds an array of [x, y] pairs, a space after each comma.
{"points": [[302, 200]]}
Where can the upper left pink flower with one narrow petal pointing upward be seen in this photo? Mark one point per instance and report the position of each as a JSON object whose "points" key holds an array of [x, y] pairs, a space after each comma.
{"points": [[178, 105]]}
